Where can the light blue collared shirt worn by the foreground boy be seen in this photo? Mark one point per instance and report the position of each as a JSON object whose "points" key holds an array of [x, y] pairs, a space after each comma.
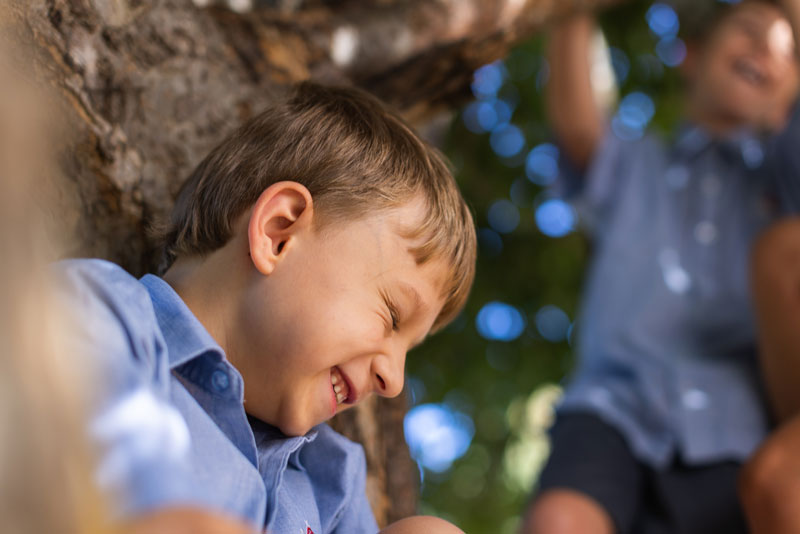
{"points": [[168, 419]]}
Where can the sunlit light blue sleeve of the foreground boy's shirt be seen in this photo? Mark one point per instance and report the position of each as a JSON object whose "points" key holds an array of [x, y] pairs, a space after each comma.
{"points": [[141, 441]]}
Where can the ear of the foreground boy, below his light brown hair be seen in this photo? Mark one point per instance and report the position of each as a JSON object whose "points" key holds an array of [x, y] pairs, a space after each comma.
{"points": [[282, 211]]}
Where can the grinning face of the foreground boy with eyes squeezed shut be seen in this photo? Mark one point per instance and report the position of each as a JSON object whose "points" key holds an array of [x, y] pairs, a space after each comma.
{"points": [[339, 312]]}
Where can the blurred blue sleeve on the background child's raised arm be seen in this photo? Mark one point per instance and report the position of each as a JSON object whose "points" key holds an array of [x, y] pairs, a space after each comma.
{"points": [[595, 191]]}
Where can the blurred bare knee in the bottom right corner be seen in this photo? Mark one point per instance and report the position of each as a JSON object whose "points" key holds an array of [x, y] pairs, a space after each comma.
{"points": [[770, 483]]}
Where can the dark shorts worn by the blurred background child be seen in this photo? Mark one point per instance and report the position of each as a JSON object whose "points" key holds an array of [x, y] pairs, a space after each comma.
{"points": [[591, 457]]}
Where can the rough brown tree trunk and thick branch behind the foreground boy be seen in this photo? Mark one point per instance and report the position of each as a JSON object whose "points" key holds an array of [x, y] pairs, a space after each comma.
{"points": [[147, 87]]}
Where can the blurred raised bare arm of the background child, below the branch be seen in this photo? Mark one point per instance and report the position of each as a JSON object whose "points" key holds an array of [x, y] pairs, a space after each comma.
{"points": [[571, 108]]}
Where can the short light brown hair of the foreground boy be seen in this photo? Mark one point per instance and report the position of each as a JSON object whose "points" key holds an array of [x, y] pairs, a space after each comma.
{"points": [[355, 157]]}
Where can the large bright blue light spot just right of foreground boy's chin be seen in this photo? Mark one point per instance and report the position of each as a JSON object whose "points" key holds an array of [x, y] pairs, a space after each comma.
{"points": [[437, 435]]}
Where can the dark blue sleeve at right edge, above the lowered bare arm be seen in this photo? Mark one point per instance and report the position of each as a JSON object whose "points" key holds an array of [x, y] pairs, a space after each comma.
{"points": [[784, 160]]}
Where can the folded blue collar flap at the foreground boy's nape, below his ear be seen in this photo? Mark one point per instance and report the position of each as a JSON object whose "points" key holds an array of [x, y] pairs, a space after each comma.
{"points": [[185, 336]]}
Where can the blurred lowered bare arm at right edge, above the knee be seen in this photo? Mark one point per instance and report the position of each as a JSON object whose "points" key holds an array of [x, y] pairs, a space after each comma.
{"points": [[776, 294]]}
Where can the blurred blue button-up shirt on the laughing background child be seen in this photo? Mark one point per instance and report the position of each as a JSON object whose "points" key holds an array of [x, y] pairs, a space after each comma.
{"points": [[666, 343]]}
